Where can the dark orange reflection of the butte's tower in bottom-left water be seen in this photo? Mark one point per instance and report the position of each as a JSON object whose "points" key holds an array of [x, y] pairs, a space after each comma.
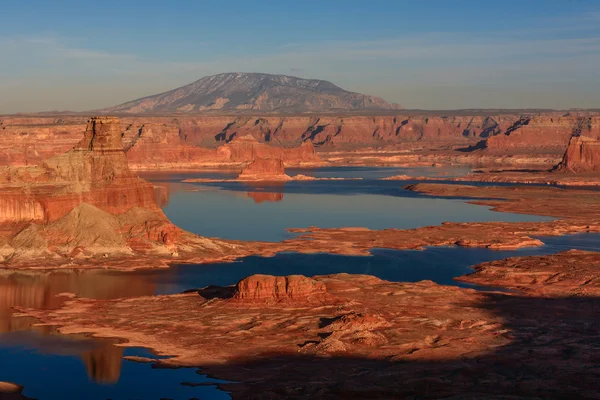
{"points": [[104, 364]]}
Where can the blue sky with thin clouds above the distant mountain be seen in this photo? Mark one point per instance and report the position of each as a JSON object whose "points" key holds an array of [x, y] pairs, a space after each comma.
{"points": [[436, 54]]}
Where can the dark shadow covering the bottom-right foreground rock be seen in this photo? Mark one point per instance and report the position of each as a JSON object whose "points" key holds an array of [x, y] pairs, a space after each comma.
{"points": [[554, 353]]}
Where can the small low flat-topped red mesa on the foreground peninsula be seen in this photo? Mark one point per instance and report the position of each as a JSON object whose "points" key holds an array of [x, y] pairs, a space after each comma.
{"points": [[267, 288]]}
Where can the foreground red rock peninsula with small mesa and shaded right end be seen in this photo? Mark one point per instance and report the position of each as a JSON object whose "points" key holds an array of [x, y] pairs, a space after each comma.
{"points": [[354, 336]]}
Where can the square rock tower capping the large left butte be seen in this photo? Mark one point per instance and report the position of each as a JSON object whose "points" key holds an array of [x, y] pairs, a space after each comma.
{"points": [[101, 134]]}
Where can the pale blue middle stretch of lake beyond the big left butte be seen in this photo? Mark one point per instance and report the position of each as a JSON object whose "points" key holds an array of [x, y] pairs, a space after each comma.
{"points": [[244, 211]]}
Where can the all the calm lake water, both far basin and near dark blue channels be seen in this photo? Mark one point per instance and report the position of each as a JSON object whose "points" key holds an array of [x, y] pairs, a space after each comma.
{"points": [[53, 366]]}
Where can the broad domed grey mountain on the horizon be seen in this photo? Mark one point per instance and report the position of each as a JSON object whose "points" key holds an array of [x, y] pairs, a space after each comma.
{"points": [[236, 92]]}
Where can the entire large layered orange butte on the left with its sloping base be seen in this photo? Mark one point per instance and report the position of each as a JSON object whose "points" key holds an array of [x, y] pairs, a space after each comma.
{"points": [[86, 205]]}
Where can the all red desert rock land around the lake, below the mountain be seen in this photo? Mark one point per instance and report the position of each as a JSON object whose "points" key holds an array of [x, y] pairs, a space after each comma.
{"points": [[71, 200]]}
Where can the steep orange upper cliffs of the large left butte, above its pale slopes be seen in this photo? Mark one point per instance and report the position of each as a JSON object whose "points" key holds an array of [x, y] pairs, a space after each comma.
{"points": [[95, 171]]}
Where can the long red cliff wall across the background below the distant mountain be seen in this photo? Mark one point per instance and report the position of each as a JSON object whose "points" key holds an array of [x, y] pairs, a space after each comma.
{"points": [[189, 142]]}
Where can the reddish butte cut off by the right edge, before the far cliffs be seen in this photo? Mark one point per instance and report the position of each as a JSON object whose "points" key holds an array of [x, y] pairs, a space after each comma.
{"points": [[582, 155]]}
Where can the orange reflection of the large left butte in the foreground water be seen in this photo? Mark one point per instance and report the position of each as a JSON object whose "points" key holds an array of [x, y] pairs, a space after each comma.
{"points": [[42, 290]]}
